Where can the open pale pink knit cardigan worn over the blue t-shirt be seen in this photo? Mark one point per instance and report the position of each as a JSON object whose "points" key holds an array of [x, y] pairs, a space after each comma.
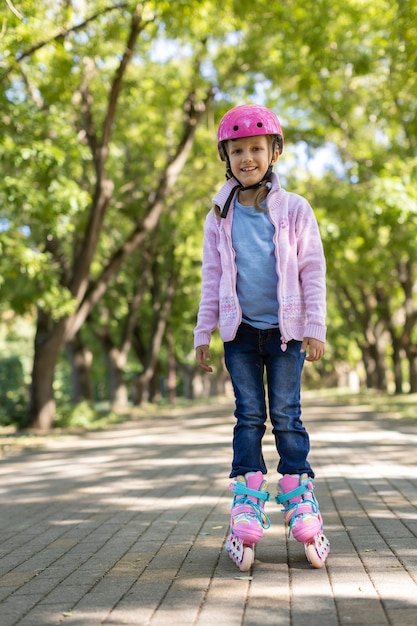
{"points": [[301, 269]]}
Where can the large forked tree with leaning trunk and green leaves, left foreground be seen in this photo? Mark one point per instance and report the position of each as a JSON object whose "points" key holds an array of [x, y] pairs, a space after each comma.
{"points": [[77, 182]]}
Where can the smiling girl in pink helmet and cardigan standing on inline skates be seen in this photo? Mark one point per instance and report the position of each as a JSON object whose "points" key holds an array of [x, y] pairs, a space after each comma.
{"points": [[264, 285]]}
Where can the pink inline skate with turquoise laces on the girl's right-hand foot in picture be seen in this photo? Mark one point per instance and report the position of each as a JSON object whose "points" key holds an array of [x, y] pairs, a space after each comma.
{"points": [[302, 516]]}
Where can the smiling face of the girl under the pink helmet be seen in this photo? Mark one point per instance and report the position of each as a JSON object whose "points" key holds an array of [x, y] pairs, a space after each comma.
{"points": [[250, 158]]}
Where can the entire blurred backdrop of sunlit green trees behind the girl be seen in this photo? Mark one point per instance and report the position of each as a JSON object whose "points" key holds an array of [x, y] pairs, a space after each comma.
{"points": [[108, 164]]}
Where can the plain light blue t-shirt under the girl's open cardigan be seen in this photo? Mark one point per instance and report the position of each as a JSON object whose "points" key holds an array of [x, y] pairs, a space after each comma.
{"points": [[257, 279]]}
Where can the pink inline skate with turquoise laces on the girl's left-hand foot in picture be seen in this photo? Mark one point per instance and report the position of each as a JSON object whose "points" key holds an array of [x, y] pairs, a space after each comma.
{"points": [[248, 519]]}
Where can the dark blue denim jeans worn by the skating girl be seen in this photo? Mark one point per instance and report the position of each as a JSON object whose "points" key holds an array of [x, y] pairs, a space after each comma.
{"points": [[252, 353]]}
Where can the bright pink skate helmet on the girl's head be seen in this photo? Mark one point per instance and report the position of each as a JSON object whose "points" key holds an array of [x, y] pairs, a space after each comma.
{"points": [[248, 120]]}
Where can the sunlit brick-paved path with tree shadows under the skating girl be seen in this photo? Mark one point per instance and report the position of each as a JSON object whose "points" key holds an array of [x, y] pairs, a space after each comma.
{"points": [[127, 526]]}
